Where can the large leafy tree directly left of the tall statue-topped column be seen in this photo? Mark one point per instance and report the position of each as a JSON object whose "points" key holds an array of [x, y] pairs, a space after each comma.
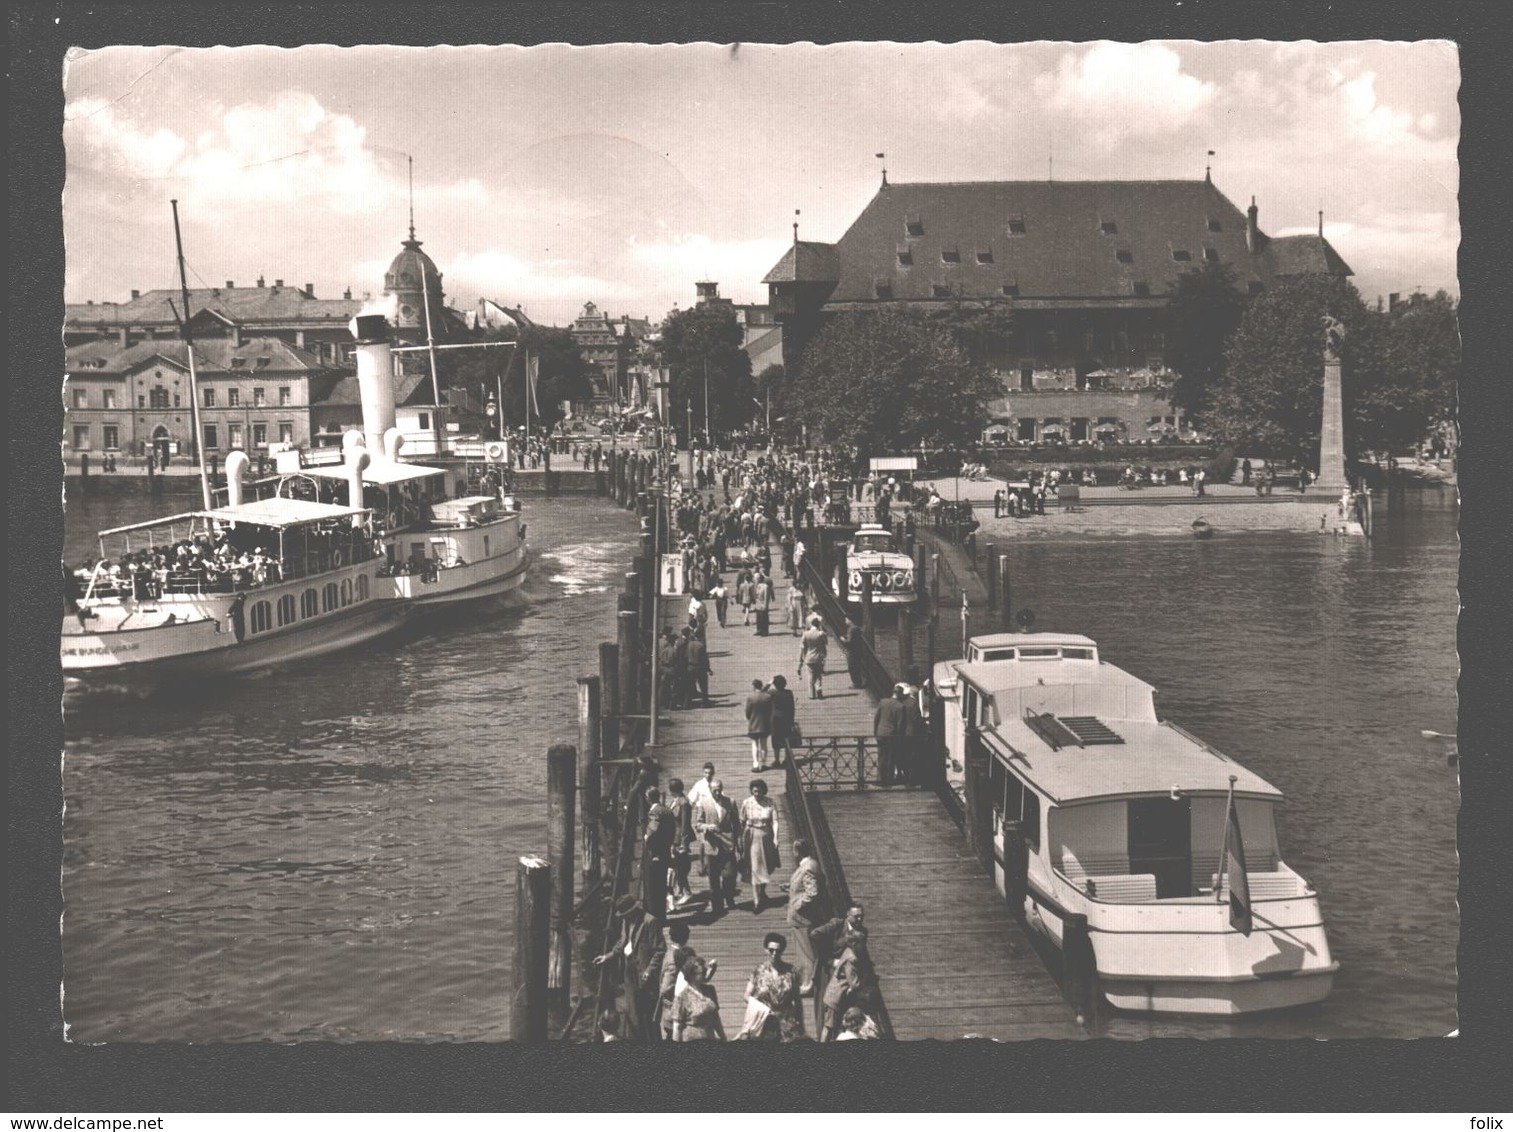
{"points": [[1270, 397]]}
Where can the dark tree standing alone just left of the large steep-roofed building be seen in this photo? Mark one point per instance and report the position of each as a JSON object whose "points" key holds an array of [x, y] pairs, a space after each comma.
{"points": [[704, 349]]}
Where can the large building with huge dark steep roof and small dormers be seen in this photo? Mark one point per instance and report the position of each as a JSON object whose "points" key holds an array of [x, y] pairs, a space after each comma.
{"points": [[1083, 273]]}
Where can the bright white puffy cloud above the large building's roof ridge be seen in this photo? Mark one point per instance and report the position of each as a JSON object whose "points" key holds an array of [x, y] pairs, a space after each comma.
{"points": [[1143, 86]]}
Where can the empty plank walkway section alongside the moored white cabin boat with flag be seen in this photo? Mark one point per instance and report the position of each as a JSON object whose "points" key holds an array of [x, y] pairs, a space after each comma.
{"points": [[951, 959]]}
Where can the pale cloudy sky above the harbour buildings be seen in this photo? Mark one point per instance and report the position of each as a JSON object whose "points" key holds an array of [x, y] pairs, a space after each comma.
{"points": [[621, 175]]}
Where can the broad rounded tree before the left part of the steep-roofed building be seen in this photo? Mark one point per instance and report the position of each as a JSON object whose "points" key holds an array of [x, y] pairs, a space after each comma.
{"points": [[890, 381]]}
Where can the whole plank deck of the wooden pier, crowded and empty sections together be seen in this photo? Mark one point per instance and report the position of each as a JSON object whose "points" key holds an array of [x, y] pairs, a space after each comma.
{"points": [[951, 959]]}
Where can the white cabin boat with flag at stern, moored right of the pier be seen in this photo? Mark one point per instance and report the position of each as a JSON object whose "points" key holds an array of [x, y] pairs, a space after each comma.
{"points": [[1131, 833]]}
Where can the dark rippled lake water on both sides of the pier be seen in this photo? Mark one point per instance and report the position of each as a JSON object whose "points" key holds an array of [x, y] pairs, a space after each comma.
{"points": [[328, 853]]}
